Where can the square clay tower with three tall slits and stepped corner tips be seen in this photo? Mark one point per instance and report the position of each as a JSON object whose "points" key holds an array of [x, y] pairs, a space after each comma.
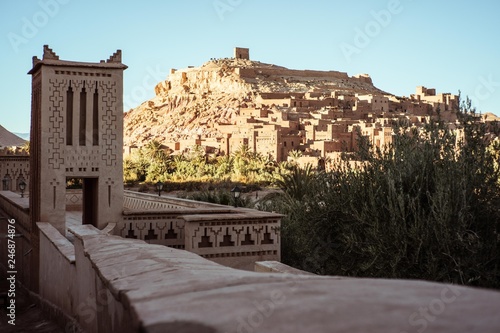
{"points": [[76, 132]]}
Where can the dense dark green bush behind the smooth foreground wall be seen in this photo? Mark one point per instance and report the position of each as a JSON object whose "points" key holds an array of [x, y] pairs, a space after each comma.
{"points": [[425, 207]]}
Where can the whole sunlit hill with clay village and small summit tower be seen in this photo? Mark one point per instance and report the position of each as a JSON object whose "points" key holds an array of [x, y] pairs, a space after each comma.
{"points": [[273, 110]]}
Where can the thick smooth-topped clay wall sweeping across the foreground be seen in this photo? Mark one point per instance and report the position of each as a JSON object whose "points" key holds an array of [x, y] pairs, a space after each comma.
{"points": [[124, 285]]}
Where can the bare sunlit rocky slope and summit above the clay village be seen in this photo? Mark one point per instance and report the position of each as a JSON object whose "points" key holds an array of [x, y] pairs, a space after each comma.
{"points": [[194, 101]]}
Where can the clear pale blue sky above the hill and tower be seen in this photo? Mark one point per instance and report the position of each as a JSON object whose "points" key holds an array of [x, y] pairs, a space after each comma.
{"points": [[448, 45]]}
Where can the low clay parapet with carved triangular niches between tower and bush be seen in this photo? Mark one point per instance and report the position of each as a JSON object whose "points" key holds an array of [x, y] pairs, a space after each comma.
{"points": [[235, 237]]}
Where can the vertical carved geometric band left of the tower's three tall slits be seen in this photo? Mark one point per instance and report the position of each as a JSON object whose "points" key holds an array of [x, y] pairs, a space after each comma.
{"points": [[56, 119]]}
